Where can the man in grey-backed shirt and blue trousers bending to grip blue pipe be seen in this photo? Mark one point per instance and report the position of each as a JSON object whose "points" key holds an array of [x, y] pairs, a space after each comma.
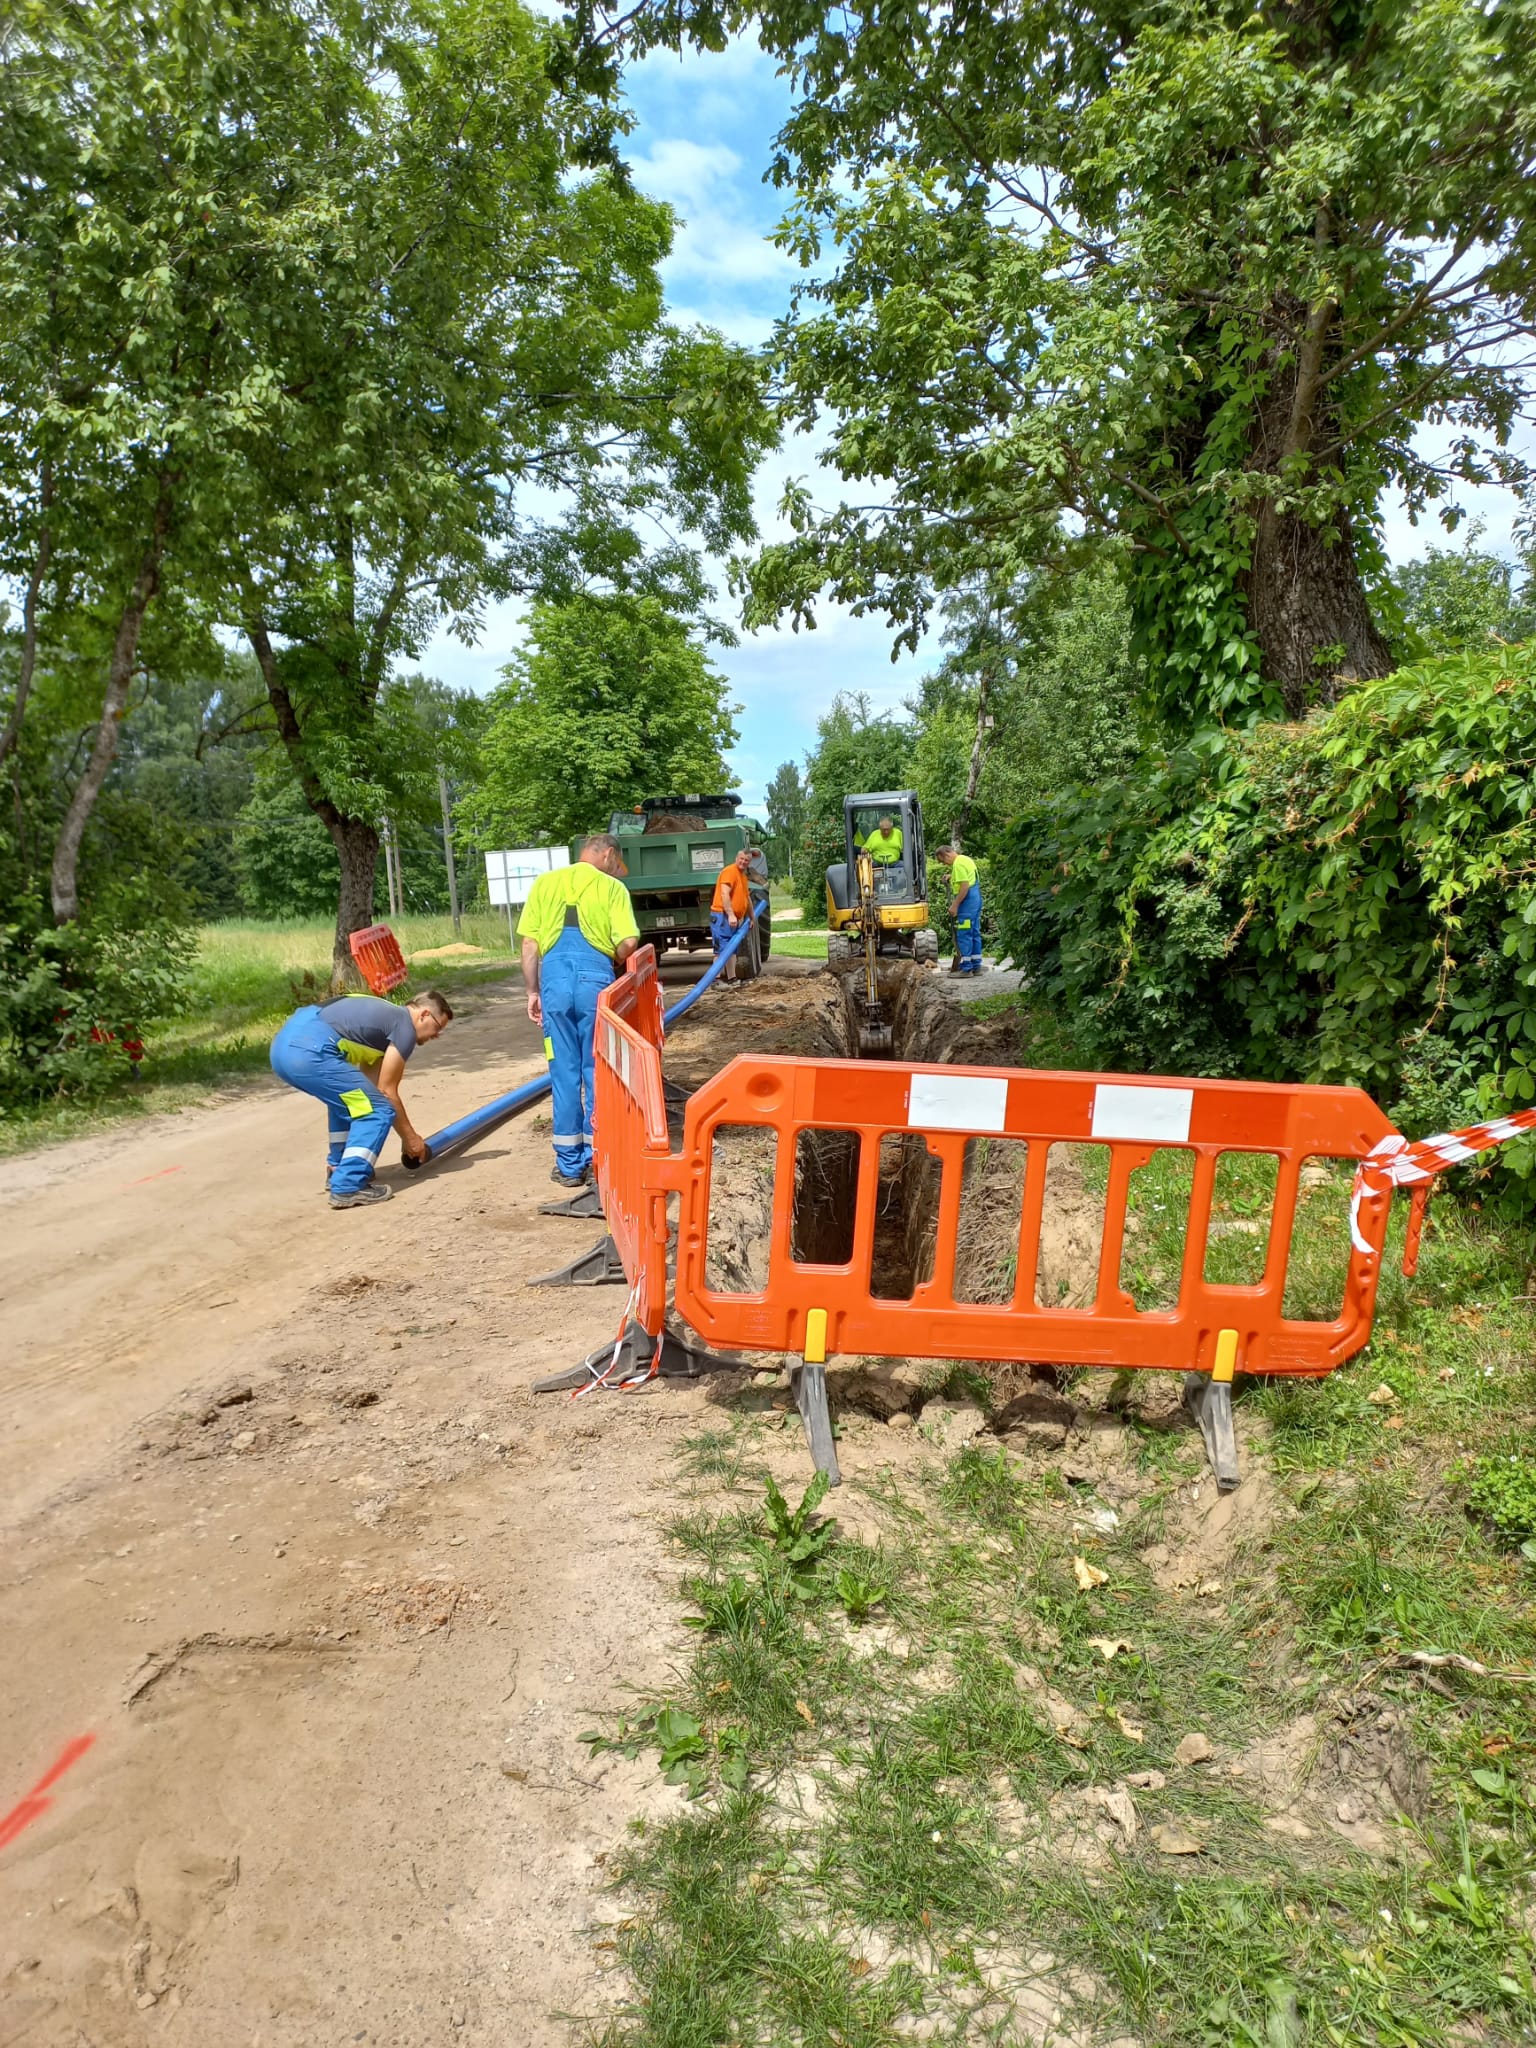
{"points": [[351, 1056]]}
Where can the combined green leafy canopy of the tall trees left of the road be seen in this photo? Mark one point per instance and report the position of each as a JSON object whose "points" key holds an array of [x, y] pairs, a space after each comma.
{"points": [[300, 310]]}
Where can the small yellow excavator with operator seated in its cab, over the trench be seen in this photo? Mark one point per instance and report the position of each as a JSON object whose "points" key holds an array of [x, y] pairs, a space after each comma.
{"points": [[878, 898]]}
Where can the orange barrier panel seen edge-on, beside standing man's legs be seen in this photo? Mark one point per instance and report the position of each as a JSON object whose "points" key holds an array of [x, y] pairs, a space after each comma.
{"points": [[630, 1132]]}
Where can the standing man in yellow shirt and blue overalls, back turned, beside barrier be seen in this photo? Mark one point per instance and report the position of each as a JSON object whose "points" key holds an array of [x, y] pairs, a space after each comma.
{"points": [[577, 929]]}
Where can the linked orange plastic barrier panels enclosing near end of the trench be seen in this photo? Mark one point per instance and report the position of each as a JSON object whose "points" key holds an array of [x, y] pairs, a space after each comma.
{"points": [[824, 1310]]}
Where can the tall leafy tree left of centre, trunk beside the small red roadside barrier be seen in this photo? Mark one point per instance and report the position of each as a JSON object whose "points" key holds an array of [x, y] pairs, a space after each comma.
{"points": [[480, 394]]}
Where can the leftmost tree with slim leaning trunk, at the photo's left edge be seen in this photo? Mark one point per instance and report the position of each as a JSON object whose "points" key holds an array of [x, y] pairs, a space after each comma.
{"points": [[142, 241]]}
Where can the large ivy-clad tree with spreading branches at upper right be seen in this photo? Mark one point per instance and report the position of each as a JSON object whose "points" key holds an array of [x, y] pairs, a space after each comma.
{"points": [[1191, 275]]}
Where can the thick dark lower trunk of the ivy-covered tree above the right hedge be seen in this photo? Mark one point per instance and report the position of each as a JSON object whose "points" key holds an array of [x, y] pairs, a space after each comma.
{"points": [[1310, 611]]}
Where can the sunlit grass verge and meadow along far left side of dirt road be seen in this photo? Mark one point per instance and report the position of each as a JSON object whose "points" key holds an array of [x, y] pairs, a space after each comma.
{"points": [[247, 980]]}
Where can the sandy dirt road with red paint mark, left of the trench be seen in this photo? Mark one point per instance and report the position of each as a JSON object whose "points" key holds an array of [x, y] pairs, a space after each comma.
{"points": [[306, 1596]]}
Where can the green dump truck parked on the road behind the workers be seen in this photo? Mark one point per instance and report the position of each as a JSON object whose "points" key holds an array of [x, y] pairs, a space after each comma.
{"points": [[675, 851]]}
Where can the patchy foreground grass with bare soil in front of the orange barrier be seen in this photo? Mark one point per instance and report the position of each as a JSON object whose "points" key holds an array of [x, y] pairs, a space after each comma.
{"points": [[894, 1842]]}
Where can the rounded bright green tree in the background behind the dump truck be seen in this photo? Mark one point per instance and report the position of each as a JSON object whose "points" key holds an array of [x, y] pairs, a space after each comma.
{"points": [[609, 701]]}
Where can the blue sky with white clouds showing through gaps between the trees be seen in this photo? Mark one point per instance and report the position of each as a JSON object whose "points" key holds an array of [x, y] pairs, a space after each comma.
{"points": [[703, 138]]}
